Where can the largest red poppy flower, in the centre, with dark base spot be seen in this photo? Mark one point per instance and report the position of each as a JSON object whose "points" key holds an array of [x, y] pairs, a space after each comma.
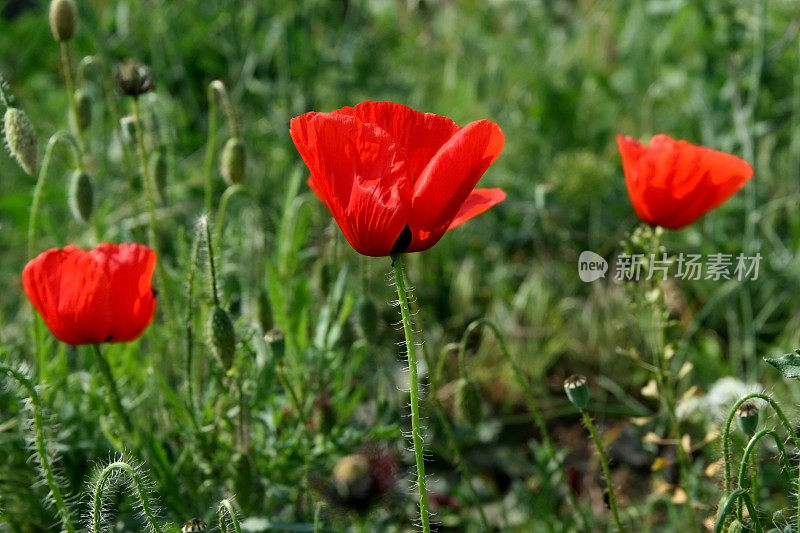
{"points": [[396, 179]]}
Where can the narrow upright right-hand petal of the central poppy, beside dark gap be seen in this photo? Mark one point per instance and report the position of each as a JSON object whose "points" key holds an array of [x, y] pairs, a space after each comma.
{"points": [[449, 179]]}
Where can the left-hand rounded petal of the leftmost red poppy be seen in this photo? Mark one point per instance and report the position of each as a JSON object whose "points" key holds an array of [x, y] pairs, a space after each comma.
{"points": [[70, 291]]}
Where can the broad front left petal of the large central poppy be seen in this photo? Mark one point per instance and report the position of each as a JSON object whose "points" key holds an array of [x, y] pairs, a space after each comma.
{"points": [[360, 174]]}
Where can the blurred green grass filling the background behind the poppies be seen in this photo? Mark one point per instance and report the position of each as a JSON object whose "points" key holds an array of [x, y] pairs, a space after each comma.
{"points": [[562, 79]]}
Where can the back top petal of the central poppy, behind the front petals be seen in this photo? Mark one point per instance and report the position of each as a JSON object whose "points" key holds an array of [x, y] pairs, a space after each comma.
{"points": [[420, 135]]}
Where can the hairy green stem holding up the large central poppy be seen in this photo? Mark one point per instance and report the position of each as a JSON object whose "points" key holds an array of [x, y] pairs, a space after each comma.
{"points": [[411, 351]]}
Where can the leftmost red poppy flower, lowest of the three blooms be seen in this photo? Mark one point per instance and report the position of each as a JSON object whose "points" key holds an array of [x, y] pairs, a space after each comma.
{"points": [[93, 296]]}
